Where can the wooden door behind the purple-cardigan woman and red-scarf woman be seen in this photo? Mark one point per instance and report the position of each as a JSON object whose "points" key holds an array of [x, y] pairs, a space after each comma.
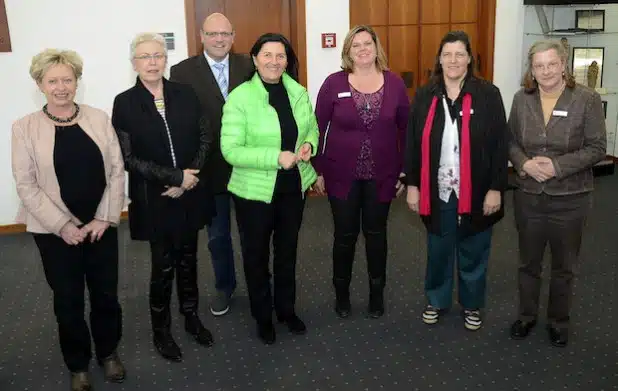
{"points": [[411, 31]]}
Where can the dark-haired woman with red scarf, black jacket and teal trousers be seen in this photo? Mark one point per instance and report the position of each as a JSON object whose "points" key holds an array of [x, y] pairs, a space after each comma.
{"points": [[456, 168]]}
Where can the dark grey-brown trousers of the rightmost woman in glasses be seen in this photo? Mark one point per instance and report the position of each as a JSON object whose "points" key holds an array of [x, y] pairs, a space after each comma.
{"points": [[559, 220]]}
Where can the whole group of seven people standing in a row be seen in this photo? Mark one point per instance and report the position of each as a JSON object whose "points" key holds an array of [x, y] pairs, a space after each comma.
{"points": [[232, 129]]}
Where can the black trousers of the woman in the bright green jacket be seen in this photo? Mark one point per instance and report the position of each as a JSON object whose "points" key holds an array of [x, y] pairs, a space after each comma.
{"points": [[259, 222]]}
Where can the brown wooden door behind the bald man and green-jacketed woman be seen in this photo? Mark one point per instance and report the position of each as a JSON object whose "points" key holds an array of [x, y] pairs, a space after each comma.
{"points": [[252, 18]]}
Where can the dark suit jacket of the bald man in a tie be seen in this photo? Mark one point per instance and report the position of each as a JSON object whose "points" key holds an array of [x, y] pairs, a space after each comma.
{"points": [[196, 72]]}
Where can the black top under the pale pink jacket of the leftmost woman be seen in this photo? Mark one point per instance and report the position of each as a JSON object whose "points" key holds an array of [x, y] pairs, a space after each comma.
{"points": [[80, 171]]}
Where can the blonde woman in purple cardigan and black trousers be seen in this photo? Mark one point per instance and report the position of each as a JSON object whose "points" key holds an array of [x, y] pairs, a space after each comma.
{"points": [[362, 115]]}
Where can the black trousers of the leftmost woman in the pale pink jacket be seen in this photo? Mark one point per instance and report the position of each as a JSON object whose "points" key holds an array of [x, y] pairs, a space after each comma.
{"points": [[68, 269]]}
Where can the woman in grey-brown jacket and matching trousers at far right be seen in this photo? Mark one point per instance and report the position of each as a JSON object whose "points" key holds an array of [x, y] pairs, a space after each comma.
{"points": [[558, 134]]}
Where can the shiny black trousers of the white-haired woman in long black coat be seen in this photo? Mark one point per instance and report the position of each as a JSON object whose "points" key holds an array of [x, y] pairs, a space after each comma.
{"points": [[174, 252]]}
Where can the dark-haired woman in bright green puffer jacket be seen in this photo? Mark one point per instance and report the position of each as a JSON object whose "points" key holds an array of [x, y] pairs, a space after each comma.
{"points": [[269, 133]]}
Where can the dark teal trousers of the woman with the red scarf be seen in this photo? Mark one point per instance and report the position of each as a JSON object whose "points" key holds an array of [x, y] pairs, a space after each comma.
{"points": [[449, 250]]}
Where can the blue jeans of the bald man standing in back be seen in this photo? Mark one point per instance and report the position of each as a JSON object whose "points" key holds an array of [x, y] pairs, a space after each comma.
{"points": [[220, 245]]}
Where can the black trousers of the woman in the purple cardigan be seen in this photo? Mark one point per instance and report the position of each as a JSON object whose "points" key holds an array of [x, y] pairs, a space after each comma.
{"points": [[361, 209]]}
